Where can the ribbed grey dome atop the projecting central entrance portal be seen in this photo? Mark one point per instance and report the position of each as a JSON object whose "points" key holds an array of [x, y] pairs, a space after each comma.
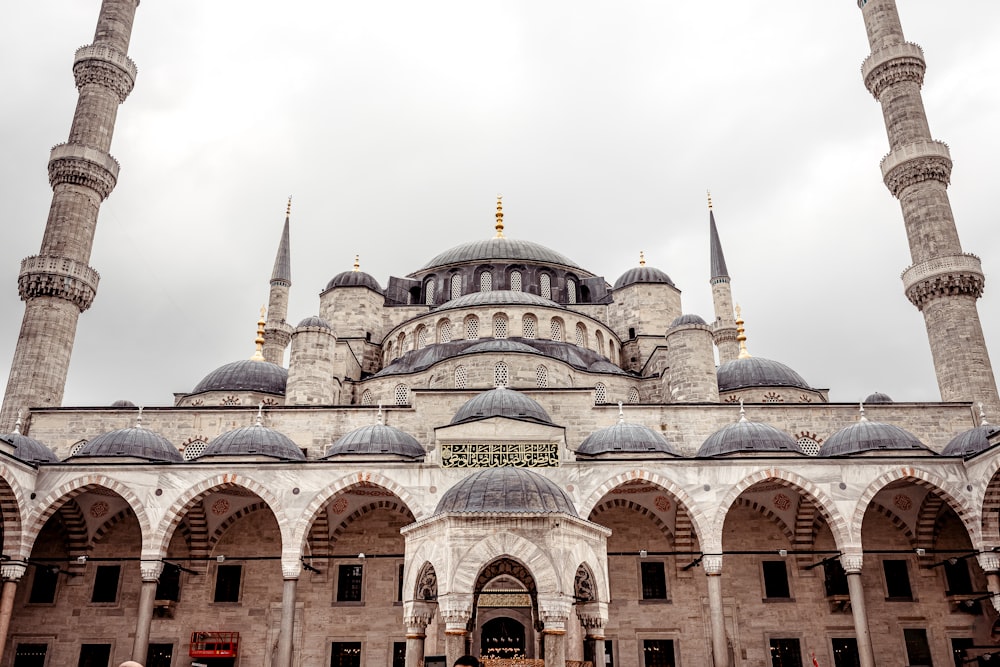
{"points": [[505, 490]]}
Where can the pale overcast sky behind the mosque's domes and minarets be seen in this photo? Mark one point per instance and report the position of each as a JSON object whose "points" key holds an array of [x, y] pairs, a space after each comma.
{"points": [[394, 124]]}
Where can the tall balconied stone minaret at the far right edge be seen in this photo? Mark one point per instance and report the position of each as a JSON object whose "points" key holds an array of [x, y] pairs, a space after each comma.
{"points": [[943, 282]]}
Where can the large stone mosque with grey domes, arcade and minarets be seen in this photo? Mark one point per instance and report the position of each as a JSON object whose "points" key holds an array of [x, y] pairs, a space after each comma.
{"points": [[502, 453]]}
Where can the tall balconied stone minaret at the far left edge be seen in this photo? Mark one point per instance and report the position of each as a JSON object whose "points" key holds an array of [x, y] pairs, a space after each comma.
{"points": [[57, 284]]}
